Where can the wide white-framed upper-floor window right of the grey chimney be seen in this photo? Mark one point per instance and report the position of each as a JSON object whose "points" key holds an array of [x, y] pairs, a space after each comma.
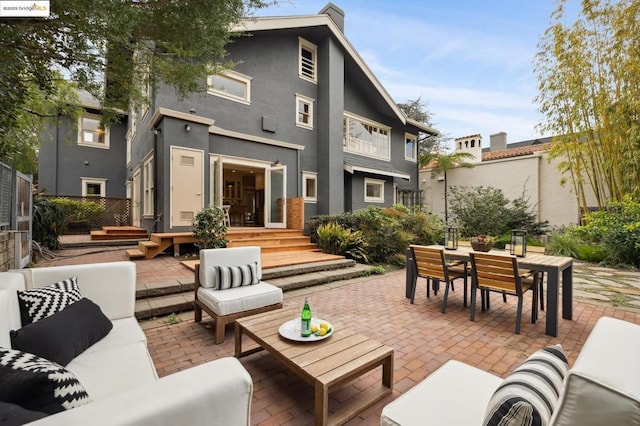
{"points": [[366, 137]]}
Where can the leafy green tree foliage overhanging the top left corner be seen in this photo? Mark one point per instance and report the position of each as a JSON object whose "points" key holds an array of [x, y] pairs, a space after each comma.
{"points": [[113, 49]]}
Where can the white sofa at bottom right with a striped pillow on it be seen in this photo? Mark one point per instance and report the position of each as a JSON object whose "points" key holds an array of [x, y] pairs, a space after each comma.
{"points": [[602, 387]]}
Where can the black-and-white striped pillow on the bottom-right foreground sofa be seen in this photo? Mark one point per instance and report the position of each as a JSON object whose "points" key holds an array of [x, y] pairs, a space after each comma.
{"points": [[529, 395]]}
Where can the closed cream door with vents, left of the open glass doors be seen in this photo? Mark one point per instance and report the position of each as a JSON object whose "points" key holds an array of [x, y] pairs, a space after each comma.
{"points": [[187, 185]]}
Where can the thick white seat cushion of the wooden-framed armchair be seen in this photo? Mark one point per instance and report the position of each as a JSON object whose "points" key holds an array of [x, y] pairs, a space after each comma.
{"points": [[239, 299]]}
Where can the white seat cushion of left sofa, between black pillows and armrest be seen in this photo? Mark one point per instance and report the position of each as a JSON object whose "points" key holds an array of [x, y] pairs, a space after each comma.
{"points": [[109, 371]]}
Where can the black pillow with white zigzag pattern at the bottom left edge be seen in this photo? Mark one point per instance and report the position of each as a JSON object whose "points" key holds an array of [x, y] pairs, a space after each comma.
{"points": [[37, 384]]}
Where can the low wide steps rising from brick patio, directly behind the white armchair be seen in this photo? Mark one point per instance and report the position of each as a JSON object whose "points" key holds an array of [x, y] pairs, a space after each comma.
{"points": [[166, 298]]}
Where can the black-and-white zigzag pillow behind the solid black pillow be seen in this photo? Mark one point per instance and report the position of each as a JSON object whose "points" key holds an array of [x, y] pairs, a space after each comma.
{"points": [[39, 303]]}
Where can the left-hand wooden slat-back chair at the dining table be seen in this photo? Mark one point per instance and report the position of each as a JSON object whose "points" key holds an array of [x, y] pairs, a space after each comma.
{"points": [[431, 263]]}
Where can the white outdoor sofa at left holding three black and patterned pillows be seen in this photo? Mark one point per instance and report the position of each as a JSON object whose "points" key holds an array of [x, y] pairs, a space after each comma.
{"points": [[112, 381]]}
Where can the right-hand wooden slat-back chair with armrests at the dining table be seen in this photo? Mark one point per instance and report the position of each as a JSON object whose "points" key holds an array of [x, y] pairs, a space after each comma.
{"points": [[500, 273]]}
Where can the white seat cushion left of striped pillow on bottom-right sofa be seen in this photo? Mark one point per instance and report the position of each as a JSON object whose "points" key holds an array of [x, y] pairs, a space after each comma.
{"points": [[454, 394]]}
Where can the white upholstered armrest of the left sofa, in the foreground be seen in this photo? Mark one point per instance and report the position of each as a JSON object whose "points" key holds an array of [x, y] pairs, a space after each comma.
{"points": [[214, 393]]}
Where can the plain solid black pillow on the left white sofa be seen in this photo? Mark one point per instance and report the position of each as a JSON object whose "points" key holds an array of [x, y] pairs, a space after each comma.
{"points": [[64, 335]]}
